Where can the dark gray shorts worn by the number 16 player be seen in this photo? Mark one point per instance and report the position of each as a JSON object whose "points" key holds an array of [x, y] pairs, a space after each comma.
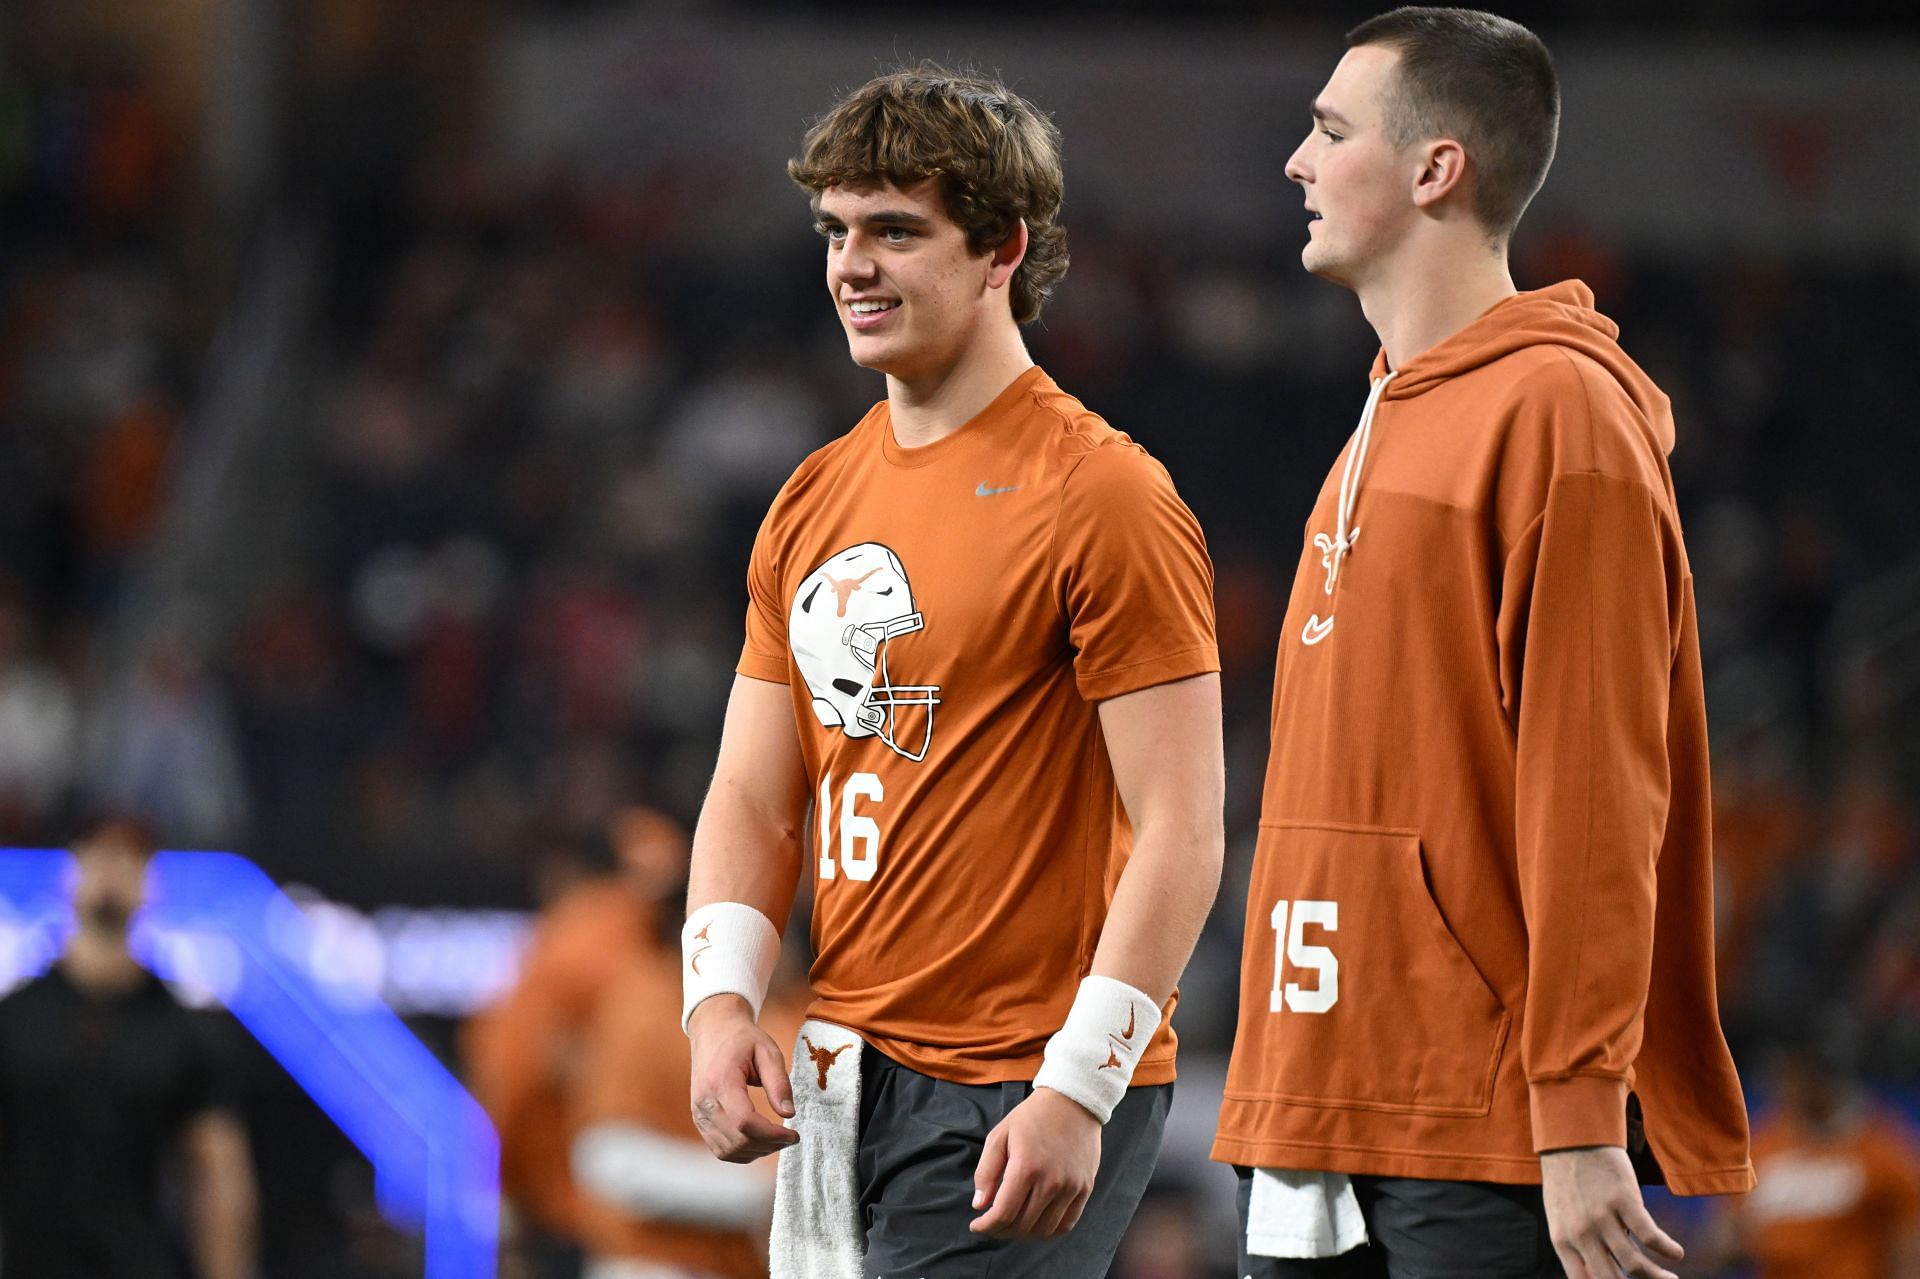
{"points": [[921, 1142]]}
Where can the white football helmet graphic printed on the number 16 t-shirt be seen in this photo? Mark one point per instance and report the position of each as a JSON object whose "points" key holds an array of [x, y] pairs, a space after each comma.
{"points": [[842, 627]]}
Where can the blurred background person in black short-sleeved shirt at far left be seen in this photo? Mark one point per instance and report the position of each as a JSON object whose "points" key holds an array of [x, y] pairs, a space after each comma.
{"points": [[105, 1084]]}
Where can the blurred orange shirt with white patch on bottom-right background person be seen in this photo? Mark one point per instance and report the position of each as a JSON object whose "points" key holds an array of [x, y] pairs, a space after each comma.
{"points": [[1831, 1207]]}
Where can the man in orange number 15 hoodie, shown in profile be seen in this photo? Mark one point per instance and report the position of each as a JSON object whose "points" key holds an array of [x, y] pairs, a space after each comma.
{"points": [[1477, 998]]}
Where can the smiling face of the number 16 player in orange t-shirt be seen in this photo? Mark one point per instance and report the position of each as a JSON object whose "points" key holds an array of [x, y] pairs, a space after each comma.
{"points": [[911, 295]]}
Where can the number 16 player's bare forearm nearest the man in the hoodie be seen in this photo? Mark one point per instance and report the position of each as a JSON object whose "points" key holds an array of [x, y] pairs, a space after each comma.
{"points": [[1163, 904]]}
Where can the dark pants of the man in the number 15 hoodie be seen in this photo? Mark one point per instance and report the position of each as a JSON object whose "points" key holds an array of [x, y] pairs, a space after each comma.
{"points": [[1429, 1230]]}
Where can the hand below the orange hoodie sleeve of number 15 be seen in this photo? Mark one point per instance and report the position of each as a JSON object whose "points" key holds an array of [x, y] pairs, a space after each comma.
{"points": [[1598, 1222]]}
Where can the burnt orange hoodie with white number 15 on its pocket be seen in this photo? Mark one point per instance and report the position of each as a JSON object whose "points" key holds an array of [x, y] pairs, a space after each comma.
{"points": [[1481, 909]]}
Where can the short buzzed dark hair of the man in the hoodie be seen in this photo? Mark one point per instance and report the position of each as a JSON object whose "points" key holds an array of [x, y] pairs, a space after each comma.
{"points": [[1481, 80]]}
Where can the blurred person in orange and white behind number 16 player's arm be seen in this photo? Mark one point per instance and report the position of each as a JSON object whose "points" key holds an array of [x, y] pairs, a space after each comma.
{"points": [[654, 1201]]}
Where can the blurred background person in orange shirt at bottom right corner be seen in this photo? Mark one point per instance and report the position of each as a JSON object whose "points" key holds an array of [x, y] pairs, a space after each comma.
{"points": [[1840, 1182]]}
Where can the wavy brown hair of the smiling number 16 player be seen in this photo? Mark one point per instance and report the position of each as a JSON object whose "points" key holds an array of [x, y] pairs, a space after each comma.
{"points": [[996, 155]]}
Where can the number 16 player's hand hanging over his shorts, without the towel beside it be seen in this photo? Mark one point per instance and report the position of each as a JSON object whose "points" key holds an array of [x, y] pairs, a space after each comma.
{"points": [[1038, 1169]]}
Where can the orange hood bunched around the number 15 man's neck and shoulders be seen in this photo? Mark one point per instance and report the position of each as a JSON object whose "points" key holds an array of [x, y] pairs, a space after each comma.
{"points": [[1556, 316]]}
